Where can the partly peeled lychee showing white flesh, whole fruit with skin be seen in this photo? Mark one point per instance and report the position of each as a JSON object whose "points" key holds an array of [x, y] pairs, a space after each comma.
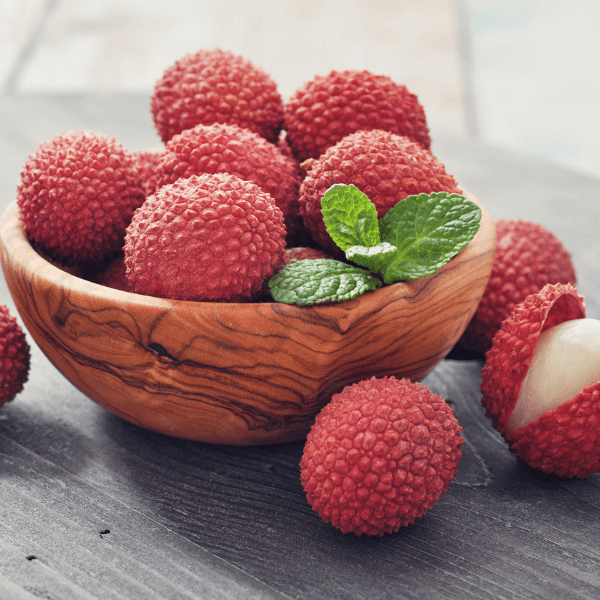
{"points": [[541, 383]]}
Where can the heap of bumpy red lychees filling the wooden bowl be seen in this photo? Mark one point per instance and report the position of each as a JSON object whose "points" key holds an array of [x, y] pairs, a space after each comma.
{"points": [[235, 190]]}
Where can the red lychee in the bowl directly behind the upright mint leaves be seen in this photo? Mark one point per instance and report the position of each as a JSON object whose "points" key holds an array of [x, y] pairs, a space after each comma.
{"points": [[384, 166]]}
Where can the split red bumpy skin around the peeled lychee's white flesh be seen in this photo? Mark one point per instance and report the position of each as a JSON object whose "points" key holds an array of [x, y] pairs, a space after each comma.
{"points": [[564, 441]]}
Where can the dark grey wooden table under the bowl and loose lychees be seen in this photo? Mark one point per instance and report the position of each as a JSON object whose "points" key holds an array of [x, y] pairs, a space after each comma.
{"points": [[94, 507]]}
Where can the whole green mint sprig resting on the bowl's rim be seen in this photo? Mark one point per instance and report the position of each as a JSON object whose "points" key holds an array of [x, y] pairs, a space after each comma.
{"points": [[414, 239]]}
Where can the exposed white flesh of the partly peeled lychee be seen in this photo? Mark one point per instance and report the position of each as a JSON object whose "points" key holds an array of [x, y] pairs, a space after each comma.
{"points": [[566, 360]]}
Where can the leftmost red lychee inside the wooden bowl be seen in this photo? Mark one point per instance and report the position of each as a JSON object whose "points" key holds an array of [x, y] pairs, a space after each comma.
{"points": [[77, 195]]}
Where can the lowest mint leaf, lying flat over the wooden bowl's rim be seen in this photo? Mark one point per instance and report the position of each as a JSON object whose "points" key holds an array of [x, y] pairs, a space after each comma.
{"points": [[320, 280]]}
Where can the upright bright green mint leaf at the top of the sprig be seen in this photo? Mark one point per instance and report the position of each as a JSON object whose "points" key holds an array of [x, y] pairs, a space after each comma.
{"points": [[350, 217]]}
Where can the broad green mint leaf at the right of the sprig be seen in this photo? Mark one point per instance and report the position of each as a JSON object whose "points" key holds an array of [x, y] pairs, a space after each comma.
{"points": [[427, 230]]}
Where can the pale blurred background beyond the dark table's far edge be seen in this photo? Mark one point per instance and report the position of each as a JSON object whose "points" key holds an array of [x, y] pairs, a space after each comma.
{"points": [[516, 73]]}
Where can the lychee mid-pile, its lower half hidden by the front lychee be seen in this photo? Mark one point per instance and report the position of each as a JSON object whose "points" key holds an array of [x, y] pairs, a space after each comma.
{"points": [[222, 148]]}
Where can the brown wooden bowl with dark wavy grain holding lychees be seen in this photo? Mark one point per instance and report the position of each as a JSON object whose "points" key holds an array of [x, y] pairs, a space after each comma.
{"points": [[233, 373]]}
